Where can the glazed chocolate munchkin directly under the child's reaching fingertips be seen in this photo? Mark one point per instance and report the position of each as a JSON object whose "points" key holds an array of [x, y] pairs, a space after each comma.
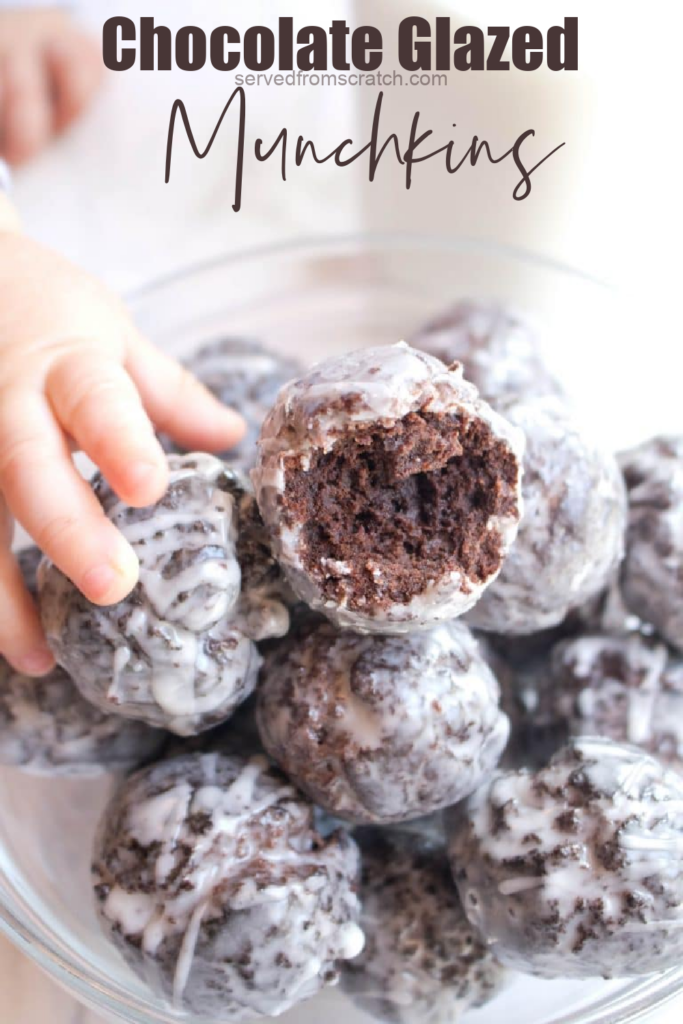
{"points": [[180, 651]]}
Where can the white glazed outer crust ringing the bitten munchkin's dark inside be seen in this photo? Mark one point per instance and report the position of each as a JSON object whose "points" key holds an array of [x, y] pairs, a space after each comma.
{"points": [[320, 411]]}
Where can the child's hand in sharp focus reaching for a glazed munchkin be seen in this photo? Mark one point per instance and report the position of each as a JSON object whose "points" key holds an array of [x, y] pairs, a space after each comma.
{"points": [[75, 373]]}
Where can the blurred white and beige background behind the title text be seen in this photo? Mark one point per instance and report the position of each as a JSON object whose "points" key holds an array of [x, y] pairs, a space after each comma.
{"points": [[608, 203]]}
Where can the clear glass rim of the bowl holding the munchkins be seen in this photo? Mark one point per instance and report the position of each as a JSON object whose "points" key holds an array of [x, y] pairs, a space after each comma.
{"points": [[66, 966]]}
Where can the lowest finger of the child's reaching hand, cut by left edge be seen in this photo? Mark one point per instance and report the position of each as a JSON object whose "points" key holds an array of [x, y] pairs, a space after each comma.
{"points": [[22, 639]]}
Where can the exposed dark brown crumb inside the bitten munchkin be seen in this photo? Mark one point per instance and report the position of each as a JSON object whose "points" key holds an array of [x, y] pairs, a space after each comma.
{"points": [[389, 510]]}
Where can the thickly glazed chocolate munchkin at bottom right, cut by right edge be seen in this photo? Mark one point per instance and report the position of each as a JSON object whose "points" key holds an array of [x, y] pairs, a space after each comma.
{"points": [[577, 871]]}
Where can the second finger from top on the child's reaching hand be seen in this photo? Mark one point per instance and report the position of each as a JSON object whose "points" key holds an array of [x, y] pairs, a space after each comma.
{"points": [[97, 403]]}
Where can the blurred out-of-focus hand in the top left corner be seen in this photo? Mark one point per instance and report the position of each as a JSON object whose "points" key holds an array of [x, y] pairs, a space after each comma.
{"points": [[50, 71]]}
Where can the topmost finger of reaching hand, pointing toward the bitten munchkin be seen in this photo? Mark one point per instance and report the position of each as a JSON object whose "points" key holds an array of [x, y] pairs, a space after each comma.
{"points": [[178, 403]]}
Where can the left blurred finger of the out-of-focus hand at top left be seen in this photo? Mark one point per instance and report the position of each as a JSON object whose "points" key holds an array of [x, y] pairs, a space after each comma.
{"points": [[27, 111]]}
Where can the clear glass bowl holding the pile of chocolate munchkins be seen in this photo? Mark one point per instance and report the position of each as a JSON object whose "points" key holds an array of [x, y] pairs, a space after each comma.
{"points": [[313, 300]]}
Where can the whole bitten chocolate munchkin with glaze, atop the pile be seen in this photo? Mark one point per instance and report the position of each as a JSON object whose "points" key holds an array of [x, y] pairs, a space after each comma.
{"points": [[392, 492]]}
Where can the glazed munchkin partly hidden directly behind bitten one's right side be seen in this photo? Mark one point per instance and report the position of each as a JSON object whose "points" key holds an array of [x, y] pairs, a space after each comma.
{"points": [[571, 540]]}
